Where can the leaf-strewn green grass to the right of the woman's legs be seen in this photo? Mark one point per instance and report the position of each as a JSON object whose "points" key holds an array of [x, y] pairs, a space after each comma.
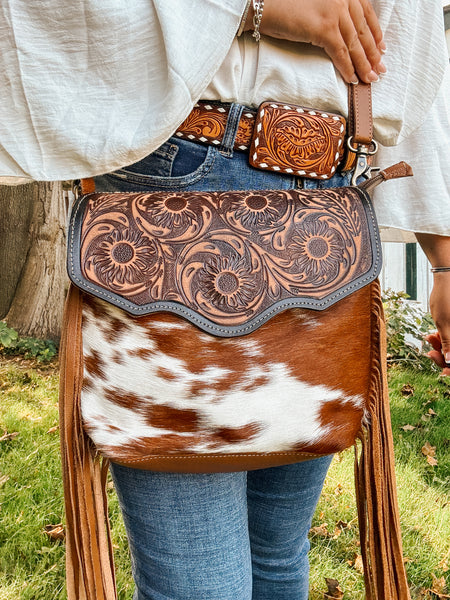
{"points": [[423, 490]]}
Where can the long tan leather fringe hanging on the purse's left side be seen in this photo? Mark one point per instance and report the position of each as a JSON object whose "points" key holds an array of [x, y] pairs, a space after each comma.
{"points": [[89, 554]]}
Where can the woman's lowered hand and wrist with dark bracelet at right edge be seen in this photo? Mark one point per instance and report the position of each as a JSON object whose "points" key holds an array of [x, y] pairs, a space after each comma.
{"points": [[437, 249]]}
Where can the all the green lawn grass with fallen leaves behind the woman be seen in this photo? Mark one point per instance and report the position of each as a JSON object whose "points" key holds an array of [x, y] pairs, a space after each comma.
{"points": [[32, 564]]}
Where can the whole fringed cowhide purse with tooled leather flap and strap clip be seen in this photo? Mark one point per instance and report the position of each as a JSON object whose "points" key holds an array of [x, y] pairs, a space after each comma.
{"points": [[256, 317]]}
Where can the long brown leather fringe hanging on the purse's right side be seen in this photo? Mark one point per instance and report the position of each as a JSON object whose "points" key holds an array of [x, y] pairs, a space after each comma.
{"points": [[376, 492]]}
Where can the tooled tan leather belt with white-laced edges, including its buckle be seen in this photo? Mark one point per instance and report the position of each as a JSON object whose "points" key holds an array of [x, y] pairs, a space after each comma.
{"points": [[283, 138]]}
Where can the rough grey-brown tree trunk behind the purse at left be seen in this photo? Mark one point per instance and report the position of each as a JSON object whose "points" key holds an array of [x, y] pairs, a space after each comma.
{"points": [[32, 258]]}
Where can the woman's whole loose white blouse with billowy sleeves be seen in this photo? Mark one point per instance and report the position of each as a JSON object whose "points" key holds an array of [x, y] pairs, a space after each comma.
{"points": [[89, 87]]}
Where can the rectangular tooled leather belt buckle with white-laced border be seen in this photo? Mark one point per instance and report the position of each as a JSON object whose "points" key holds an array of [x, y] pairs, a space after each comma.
{"points": [[297, 141]]}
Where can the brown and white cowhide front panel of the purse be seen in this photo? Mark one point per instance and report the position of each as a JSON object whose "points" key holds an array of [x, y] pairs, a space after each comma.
{"points": [[159, 386]]}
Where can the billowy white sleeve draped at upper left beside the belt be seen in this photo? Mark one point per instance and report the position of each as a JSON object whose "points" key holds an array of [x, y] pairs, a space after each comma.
{"points": [[87, 87]]}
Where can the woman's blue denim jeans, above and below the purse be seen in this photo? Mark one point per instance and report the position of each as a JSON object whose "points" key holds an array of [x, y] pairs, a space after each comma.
{"points": [[221, 536]]}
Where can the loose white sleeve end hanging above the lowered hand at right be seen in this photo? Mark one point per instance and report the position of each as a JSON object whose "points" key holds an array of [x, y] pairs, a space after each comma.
{"points": [[420, 203]]}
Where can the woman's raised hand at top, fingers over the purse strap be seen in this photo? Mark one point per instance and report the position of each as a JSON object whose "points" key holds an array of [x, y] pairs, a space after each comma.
{"points": [[348, 31]]}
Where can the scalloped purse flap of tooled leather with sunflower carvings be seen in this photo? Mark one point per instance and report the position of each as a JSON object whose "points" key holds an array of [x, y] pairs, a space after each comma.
{"points": [[226, 261]]}
